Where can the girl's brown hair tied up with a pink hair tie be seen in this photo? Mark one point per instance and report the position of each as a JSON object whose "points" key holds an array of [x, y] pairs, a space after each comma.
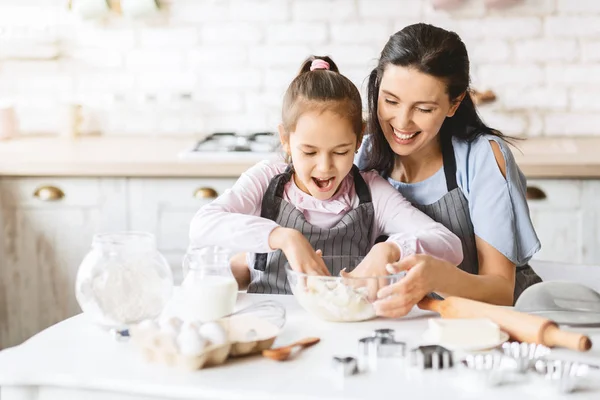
{"points": [[321, 89]]}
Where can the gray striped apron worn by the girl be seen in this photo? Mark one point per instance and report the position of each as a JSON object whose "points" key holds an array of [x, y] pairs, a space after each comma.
{"points": [[351, 236]]}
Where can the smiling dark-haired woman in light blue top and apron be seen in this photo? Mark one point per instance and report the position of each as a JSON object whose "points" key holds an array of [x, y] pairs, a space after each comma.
{"points": [[428, 141]]}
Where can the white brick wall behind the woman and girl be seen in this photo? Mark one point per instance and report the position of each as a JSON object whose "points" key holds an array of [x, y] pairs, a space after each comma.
{"points": [[207, 65]]}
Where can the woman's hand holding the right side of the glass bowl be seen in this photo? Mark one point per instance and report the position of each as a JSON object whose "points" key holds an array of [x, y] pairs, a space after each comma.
{"points": [[422, 277]]}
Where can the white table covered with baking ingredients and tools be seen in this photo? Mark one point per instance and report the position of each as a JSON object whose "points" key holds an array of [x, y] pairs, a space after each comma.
{"points": [[75, 360]]}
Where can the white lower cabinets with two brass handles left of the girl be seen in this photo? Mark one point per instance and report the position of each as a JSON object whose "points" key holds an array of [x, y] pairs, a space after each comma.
{"points": [[48, 228]]}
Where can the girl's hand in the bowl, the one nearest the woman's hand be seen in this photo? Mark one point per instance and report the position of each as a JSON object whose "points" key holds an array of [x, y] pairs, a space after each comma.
{"points": [[374, 264]]}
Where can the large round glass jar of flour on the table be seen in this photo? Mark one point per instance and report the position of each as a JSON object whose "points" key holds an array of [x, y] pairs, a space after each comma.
{"points": [[123, 279]]}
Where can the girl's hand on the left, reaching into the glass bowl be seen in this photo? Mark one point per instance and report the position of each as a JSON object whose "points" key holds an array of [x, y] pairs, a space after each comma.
{"points": [[300, 254]]}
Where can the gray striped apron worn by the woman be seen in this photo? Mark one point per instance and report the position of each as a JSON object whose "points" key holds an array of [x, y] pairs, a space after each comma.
{"points": [[452, 211]]}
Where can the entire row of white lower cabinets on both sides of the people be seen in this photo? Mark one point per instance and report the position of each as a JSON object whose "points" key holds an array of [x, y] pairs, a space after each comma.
{"points": [[45, 236]]}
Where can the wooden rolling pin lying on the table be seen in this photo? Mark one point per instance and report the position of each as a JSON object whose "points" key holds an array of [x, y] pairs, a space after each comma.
{"points": [[520, 326]]}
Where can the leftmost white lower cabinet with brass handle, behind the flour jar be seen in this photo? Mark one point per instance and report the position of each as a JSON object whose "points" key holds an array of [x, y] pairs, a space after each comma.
{"points": [[48, 224]]}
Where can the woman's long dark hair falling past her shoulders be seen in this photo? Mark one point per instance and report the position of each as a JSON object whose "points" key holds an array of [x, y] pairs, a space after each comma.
{"points": [[436, 52]]}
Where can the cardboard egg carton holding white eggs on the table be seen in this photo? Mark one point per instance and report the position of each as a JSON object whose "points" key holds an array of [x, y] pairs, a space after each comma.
{"points": [[161, 347]]}
